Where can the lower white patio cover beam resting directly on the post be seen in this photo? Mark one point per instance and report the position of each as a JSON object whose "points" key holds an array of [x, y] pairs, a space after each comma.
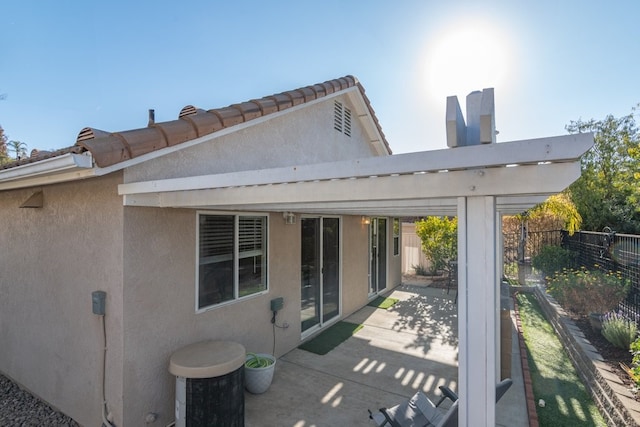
{"points": [[528, 179]]}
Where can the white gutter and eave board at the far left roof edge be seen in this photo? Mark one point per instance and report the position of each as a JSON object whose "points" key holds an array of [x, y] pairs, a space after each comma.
{"points": [[67, 167]]}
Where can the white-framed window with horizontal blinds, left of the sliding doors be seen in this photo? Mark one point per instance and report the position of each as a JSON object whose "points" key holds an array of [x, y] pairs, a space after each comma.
{"points": [[232, 258]]}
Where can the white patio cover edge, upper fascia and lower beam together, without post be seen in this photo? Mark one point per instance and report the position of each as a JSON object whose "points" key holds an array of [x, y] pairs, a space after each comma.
{"points": [[520, 174]]}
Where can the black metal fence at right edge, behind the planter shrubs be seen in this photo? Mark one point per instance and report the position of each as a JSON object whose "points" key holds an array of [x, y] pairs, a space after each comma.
{"points": [[611, 252]]}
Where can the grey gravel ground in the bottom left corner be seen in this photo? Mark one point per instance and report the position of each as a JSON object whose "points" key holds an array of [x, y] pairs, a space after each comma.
{"points": [[21, 409]]}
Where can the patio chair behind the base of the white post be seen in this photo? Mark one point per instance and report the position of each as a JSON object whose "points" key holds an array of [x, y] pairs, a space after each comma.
{"points": [[419, 411]]}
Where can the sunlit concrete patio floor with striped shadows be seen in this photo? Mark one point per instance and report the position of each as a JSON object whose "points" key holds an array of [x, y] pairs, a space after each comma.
{"points": [[411, 346]]}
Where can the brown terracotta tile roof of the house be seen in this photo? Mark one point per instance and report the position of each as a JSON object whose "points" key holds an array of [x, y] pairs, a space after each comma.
{"points": [[109, 148]]}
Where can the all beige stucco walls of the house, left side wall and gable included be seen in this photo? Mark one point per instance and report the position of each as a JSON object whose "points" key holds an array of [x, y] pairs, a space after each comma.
{"points": [[145, 259]]}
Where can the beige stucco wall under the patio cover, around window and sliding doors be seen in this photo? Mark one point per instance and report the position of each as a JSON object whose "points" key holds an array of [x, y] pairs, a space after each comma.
{"points": [[159, 295]]}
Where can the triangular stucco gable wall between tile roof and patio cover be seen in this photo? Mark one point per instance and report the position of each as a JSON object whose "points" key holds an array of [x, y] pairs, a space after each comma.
{"points": [[301, 136]]}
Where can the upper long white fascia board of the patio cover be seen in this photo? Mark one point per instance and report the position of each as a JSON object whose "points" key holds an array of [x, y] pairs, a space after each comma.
{"points": [[566, 148]]}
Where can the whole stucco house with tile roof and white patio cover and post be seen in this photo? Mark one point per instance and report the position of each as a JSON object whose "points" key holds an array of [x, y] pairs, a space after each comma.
{"points": [[192, 227]]}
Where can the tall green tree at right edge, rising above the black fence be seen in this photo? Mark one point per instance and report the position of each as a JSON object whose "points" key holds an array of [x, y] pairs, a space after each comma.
{"points": [[607, 193]]}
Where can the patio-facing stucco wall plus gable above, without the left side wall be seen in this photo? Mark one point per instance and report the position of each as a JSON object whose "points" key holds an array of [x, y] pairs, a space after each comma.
{"points": [[160, 256]]}
